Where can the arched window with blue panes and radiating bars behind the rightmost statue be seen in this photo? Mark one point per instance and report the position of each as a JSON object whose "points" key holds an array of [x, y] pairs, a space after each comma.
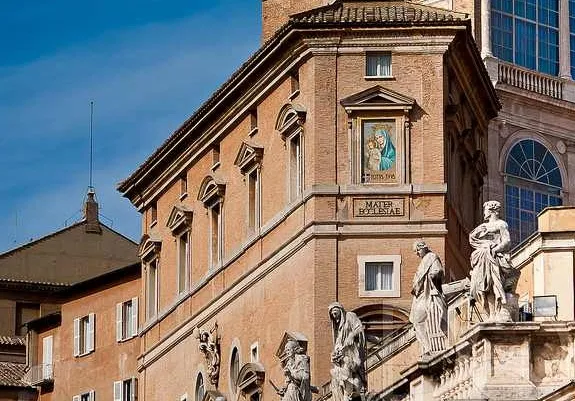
{"points": [[532, 182]]}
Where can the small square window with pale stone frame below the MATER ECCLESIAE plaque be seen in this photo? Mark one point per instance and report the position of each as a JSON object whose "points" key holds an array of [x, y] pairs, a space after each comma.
{"points": [[379, 275]]}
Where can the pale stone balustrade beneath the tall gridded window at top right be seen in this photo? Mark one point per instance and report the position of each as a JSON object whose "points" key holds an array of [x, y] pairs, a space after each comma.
{"points": [[533, 81]]}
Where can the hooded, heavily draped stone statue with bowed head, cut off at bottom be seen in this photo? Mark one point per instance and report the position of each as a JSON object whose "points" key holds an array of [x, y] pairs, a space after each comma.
{"points": [[348, 356]]}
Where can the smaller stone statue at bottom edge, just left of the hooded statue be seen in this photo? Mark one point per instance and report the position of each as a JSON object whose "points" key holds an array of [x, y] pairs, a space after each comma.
{"points": [[296, 371]]}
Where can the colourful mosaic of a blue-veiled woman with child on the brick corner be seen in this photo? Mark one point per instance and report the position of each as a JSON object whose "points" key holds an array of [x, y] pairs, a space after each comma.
{"points": [[378, 139]]}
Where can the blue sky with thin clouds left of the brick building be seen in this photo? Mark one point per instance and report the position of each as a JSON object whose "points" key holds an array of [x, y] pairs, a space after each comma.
{"points": [[147, 64]]}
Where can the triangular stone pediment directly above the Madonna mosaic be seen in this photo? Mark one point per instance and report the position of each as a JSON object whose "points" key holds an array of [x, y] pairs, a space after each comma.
{"points": [[377, 98]]}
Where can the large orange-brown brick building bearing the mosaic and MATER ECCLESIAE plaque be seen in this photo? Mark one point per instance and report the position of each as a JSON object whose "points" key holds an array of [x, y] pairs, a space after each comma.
{"points": [[303, 180]]}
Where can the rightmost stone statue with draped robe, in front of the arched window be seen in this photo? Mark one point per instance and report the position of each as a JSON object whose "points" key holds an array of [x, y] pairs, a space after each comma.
{"points": [[492, 276]]}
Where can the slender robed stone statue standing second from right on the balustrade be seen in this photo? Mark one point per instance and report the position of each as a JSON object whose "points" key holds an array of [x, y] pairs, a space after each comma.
{"points": [[428, 309]]}
